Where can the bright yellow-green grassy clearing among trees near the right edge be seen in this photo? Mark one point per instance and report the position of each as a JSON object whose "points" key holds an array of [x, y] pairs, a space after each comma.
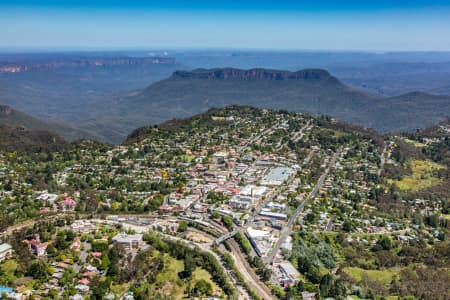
{"points": [[423, 176]]}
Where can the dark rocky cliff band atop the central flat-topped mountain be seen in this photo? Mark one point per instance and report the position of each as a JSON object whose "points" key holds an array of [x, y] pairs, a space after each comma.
{"points": [[254, 74]]}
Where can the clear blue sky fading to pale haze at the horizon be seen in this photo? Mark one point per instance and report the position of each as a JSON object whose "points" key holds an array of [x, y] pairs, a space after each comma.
{"points": [[395, 25]]}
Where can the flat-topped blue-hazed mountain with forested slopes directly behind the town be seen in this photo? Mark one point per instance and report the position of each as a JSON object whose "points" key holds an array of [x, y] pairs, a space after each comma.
{"points": [[312, 90]]}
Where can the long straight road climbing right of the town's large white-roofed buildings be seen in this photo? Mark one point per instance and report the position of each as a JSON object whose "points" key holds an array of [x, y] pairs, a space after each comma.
{"points": [[288, 229]]}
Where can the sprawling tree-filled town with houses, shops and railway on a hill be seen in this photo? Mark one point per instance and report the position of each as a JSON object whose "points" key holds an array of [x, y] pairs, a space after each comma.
{"points": [[288, 205]]}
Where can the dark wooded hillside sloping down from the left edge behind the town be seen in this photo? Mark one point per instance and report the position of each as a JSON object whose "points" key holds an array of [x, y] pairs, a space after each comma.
{"points": [[14, 118]]}
